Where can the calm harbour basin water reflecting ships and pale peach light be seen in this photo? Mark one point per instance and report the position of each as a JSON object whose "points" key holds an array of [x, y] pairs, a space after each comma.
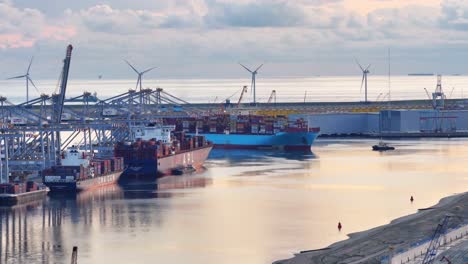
{"points": [[246, 207]]}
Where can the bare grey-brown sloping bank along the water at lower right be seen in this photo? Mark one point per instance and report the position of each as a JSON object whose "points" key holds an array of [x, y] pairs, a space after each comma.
{"points": [[371, 245]]}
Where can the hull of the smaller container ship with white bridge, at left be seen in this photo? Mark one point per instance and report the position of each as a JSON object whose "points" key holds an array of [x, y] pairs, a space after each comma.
{"points": [[68, 184]]}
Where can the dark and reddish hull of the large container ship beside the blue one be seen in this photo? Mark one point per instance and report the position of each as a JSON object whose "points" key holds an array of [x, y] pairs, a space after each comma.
{"points": [[143, 171]]}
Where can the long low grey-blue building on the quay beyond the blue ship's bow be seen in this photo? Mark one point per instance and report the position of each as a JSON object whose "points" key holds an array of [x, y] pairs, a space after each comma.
{"points": [[392, 122]]}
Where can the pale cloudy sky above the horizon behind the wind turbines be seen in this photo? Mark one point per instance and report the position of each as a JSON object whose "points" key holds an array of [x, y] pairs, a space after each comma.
{"points": [[207, 38]]}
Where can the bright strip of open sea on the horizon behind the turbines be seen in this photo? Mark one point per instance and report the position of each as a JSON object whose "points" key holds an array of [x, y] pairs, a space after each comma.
{"points": [[314, 89]]}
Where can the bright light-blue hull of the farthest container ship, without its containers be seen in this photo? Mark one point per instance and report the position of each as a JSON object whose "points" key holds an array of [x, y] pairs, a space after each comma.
{"points": [[281, 140]]}
